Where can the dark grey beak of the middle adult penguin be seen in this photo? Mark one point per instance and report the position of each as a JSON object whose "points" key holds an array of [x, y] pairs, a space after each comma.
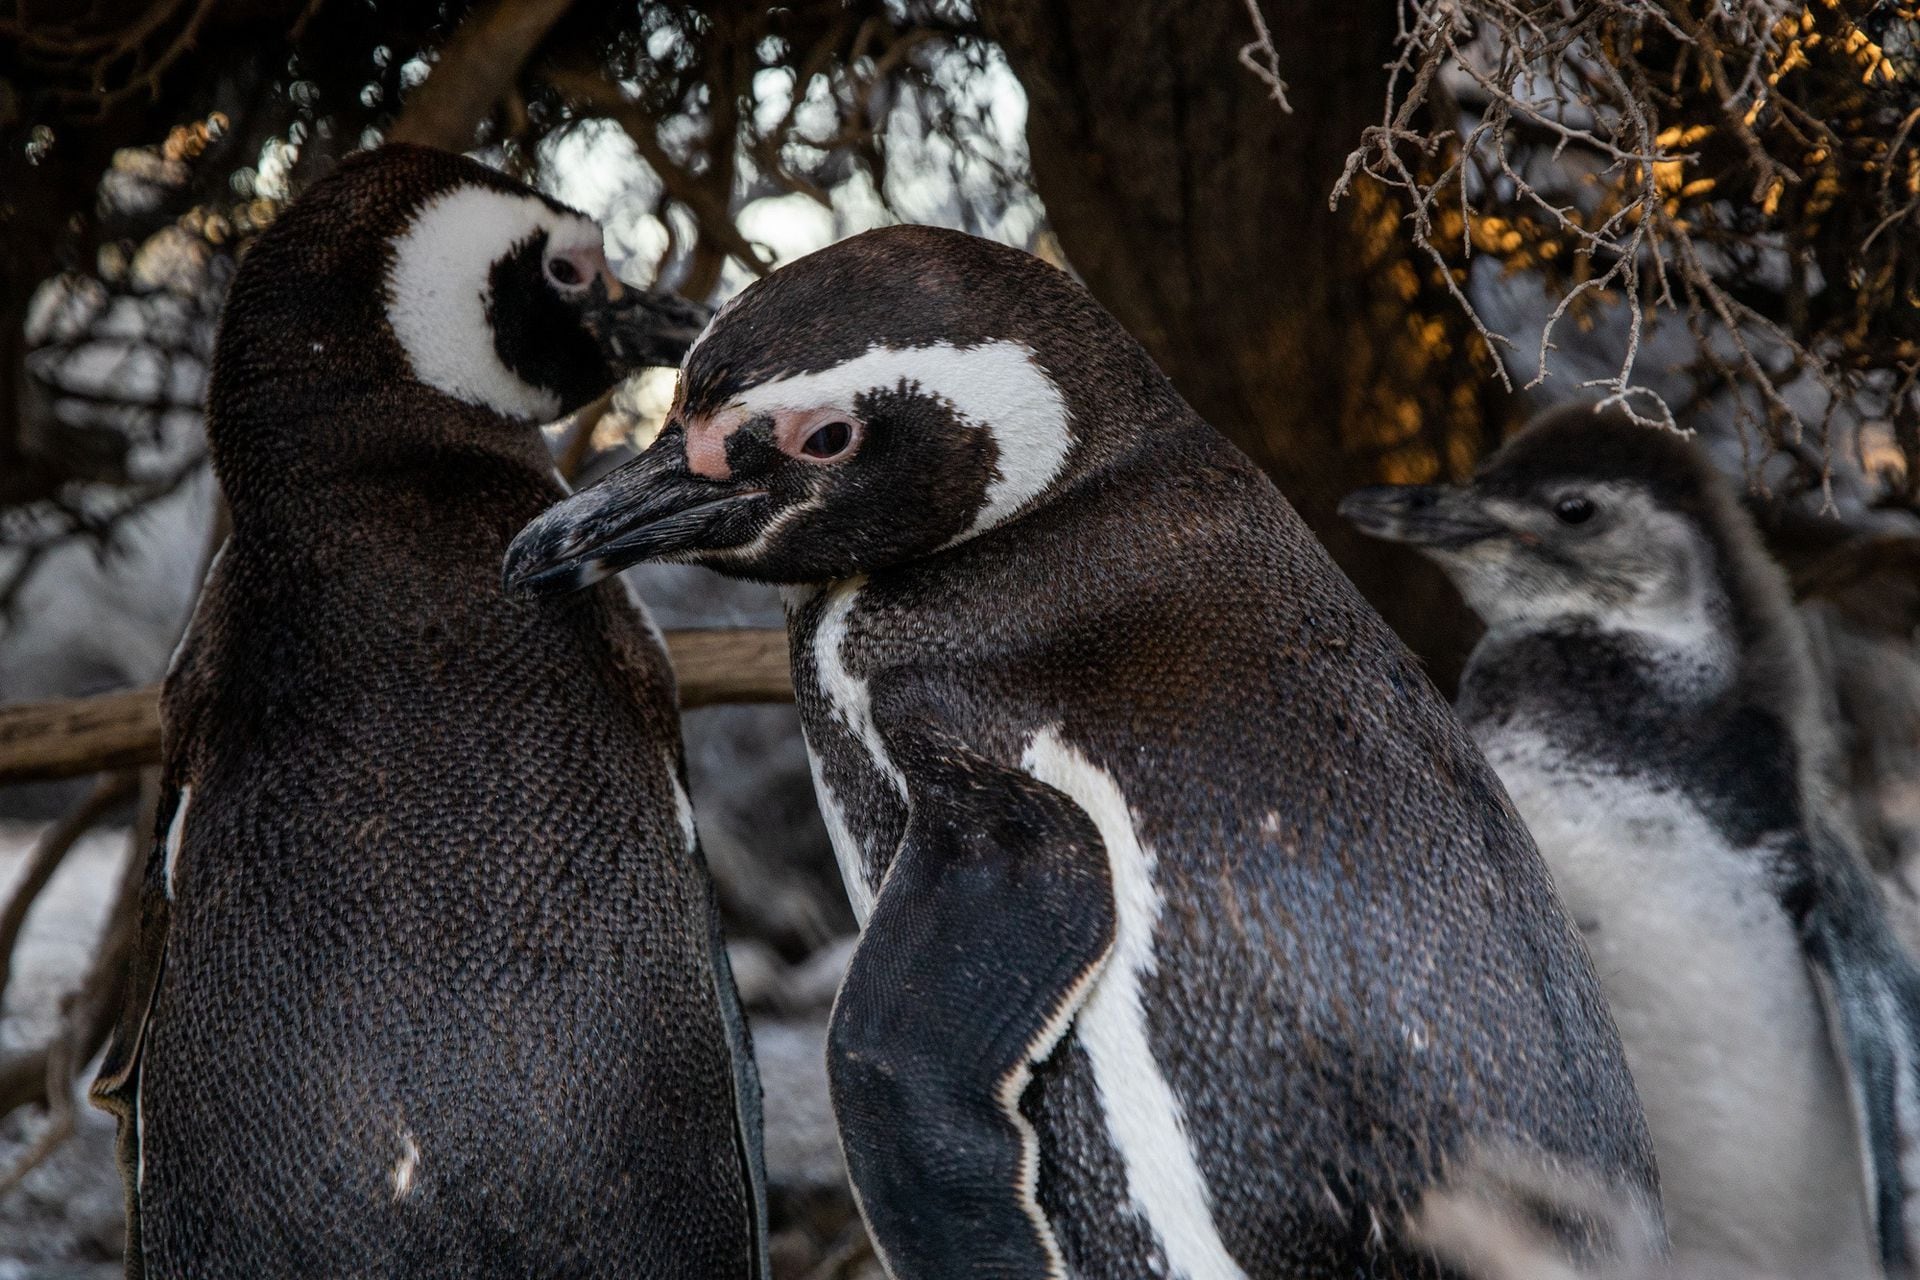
{"points": [[652, 510]]}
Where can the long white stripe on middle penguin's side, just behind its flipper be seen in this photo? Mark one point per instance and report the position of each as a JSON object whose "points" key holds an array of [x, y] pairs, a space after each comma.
{"points": [[1143, 1116]]}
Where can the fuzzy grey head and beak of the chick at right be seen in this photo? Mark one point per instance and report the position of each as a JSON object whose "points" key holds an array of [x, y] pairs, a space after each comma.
{"points": [[1583, 519]]}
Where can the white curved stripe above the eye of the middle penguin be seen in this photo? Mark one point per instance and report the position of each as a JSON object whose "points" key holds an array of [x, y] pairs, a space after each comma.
{"points": [[996, 387]]}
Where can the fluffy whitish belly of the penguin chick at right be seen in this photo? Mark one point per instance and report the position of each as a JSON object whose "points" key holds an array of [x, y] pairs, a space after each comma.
{"points": [[1716, 1005]]}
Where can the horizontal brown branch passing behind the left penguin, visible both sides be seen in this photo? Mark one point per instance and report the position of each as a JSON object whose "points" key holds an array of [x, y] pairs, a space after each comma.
{"points": [[72, 738]]}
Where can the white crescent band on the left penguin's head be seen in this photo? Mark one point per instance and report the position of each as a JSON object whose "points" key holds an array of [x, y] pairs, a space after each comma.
{"points": [[437, 296]]}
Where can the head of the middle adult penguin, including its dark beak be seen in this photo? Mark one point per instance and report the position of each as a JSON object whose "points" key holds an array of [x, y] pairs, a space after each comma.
{"points": [[871, 404]]}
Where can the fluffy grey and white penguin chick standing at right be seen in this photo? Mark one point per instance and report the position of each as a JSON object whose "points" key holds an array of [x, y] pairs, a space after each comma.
{"points": [[1646, 694]]}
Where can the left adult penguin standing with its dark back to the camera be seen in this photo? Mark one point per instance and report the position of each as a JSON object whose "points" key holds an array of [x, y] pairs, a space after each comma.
{"points": [[429, 976]]}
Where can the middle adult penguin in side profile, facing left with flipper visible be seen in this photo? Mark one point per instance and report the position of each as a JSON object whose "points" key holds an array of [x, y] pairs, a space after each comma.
{"points": [[1197, 934]]}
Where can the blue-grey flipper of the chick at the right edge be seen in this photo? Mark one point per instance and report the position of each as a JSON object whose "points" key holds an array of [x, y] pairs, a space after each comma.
{"points": [[1871, 993]]}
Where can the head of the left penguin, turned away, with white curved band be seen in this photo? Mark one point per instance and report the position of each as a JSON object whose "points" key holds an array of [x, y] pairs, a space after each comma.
{"points": [[410, 283]]}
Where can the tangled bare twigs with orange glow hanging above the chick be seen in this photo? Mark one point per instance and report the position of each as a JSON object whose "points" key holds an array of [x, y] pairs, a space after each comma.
{"points": [[1748, 168]]}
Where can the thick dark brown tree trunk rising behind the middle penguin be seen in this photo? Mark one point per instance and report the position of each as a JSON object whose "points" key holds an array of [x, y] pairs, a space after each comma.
{"points": [[1199, 214]]}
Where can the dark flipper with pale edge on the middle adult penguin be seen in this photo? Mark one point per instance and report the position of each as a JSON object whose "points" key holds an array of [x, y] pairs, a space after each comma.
{"points": [[988, 936]]}
